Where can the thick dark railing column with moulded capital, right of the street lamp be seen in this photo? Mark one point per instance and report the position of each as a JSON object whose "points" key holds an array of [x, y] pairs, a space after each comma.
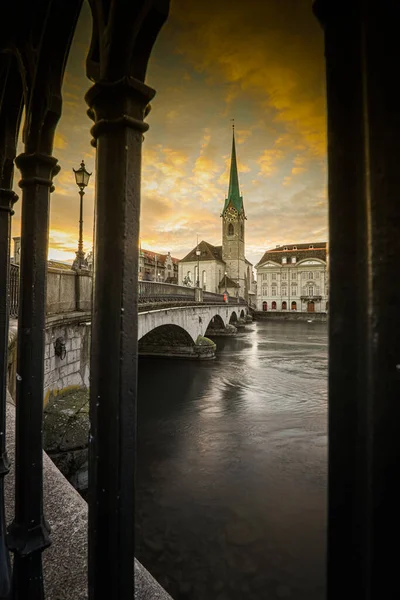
{"points": [[118, 111]]}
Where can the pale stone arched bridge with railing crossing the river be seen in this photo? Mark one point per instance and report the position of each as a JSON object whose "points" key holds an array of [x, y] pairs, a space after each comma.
{"points": [[174, 321]]}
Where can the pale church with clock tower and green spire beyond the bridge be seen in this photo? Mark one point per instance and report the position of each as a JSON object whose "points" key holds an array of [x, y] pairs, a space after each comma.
{"points": [[222, 268]]}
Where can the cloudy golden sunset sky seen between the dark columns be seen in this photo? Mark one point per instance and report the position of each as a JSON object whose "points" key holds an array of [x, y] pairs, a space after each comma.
{"points": [[259, 62]]}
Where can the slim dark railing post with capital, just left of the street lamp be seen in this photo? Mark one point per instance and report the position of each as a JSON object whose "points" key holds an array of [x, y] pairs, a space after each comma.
{"points": [[29, 534]]}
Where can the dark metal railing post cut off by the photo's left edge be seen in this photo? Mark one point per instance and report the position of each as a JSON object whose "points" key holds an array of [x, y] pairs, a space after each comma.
{"points": [[7, 200]]}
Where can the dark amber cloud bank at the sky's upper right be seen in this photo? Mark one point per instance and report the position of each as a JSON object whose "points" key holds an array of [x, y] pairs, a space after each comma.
{"points": [[272, 50]]}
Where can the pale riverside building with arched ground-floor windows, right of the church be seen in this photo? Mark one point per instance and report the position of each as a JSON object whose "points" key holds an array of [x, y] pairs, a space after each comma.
{"points": [[293, 278]]}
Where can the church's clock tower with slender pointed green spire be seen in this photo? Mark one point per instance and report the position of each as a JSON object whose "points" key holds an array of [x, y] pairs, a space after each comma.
{"points": [[233, 228]]}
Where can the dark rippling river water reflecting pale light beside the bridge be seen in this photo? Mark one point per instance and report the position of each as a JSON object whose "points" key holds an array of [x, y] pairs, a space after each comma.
{"points": [[232, 467]]}
